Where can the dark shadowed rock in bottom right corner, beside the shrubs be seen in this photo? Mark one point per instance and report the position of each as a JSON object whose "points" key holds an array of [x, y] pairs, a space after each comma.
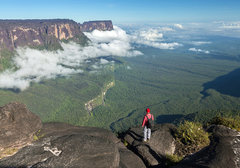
{"points": [[223, 151]]}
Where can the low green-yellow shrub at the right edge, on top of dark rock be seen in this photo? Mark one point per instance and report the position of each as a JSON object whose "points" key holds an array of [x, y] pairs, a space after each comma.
{"points": [[233, 123]]}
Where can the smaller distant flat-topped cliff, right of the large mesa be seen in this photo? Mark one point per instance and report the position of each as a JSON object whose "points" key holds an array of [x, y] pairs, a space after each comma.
{"points": [[105, 25]]}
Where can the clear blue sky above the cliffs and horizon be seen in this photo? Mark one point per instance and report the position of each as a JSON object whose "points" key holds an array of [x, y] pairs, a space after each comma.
{"points": [[123, 11]]}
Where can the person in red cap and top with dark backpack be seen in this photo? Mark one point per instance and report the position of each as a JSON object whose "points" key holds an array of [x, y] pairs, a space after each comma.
{"points": [[147, 125]]}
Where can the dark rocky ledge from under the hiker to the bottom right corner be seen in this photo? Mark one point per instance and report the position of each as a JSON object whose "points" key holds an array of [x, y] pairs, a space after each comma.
{"points": [[223, 151]]}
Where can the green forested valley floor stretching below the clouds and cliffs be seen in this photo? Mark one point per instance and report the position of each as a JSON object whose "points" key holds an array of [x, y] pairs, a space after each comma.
{"points": [[174, 84]]}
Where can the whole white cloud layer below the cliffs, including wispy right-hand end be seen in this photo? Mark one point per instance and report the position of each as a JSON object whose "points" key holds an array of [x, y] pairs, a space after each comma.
{"points": [[34, 65]]}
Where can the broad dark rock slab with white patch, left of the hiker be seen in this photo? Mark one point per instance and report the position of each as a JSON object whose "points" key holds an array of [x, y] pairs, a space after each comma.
{"points": [[64, 145]]}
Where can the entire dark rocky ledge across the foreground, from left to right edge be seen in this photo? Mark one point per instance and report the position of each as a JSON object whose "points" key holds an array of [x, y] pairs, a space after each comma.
{"points": [[62, 145]]}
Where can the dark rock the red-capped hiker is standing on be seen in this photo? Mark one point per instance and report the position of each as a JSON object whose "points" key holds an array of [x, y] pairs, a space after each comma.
{"points": [[161, 143]]}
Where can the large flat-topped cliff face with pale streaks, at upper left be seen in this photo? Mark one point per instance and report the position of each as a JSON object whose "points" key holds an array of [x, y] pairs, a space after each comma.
{"points": [[43, 33]]}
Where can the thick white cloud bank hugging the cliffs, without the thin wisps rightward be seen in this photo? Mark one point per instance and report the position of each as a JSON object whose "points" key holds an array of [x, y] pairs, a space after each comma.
{"points": [[34, 65]]}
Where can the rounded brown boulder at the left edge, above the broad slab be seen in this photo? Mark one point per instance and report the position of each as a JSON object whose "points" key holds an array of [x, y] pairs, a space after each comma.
{"points": [[18, 126]]}
